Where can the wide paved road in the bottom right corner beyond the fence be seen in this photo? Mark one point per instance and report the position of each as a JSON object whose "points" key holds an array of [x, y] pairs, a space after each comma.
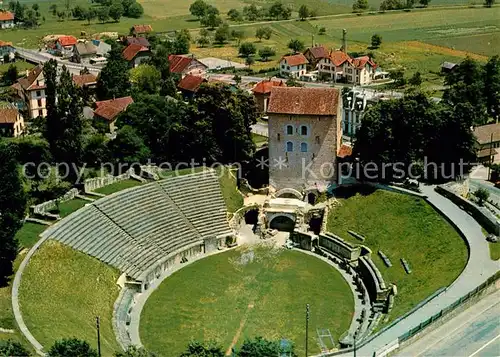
{"points": [[473, 333]]}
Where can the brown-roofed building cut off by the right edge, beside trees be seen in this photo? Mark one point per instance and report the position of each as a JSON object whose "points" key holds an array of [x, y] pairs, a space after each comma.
{"points": [[488, 138]]}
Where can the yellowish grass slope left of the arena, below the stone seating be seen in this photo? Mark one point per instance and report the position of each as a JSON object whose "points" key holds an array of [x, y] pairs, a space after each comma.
{"points": [[62, 292]]}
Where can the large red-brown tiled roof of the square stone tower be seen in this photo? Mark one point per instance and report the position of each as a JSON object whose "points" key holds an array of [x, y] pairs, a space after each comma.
{"points": [[303, 101]]}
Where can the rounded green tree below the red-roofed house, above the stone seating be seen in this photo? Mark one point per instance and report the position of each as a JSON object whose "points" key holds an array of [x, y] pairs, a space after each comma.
{"points": [[128, 146]]}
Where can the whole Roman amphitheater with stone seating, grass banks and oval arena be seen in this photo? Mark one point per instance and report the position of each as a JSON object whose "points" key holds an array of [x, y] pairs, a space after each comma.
{"points": [[176, 259]]}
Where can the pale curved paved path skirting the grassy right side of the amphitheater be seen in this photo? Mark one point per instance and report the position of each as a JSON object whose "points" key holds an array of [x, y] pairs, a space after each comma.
{"points": [[479, 268]]}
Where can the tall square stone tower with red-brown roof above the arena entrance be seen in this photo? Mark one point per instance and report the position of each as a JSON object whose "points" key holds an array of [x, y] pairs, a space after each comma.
{"points": [[305, 136]]}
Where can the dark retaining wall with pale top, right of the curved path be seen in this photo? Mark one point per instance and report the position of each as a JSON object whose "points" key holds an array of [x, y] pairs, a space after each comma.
{"points": [[484, 217]]}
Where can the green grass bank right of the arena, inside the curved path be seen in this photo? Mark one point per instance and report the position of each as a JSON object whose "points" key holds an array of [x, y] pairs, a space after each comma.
{"points": [[407, 227]]}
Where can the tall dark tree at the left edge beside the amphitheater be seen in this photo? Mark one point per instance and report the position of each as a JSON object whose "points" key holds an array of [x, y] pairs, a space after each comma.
{"points": [[13, 206]]}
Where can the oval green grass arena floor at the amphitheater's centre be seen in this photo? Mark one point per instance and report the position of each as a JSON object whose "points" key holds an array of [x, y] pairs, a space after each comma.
{"points": [[262, 290]]}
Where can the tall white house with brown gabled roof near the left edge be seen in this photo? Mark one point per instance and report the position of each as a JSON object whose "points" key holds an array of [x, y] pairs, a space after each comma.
{"points": [[31, 91]]}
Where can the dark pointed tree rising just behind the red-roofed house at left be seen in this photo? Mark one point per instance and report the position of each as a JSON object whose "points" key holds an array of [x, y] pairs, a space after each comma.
{"points": [[113, 81]]}
